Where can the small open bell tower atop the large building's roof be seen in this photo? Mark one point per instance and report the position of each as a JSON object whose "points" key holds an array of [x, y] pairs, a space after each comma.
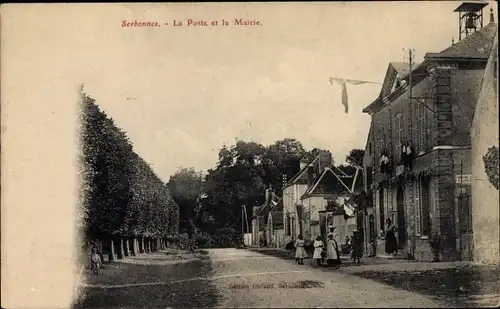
{"points": [[470, 18]]}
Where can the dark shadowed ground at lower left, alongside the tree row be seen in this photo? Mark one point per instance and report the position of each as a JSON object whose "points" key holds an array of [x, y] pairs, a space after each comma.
{"points": [[197, 293]]}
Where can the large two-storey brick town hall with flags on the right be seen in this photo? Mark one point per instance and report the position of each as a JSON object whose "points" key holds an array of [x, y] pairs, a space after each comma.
{"points": [[420, 148]]}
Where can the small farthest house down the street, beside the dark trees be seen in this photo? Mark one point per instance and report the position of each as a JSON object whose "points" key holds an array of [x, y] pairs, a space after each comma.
{"points": [[267, 221]]}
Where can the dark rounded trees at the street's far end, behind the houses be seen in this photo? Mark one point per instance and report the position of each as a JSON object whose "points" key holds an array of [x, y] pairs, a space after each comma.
{"points": [[211, 204]]}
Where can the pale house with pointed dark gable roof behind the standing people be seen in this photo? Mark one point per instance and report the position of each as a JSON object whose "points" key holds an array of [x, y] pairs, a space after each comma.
{"points": [[308, 194]]}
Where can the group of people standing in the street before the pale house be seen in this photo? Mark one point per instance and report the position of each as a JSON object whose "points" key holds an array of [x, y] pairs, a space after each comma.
{"points": [[331, 254]]}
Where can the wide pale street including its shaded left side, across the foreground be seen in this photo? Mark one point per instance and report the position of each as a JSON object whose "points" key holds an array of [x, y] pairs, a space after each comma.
{"points": [[235, 278]]}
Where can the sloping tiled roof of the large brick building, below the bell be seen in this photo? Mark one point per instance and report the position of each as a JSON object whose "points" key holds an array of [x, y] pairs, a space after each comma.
{"points": [[476, 45]]}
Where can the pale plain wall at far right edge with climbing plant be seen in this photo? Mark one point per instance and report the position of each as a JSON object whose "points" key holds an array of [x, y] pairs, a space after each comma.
{"points": [[485, 195]]}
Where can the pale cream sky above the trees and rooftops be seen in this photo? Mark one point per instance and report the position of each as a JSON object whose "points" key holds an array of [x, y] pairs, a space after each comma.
{"points": [[191, 90]]}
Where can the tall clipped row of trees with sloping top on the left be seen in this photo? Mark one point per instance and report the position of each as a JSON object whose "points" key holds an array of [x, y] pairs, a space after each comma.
{"points": [[121, 195]]}
